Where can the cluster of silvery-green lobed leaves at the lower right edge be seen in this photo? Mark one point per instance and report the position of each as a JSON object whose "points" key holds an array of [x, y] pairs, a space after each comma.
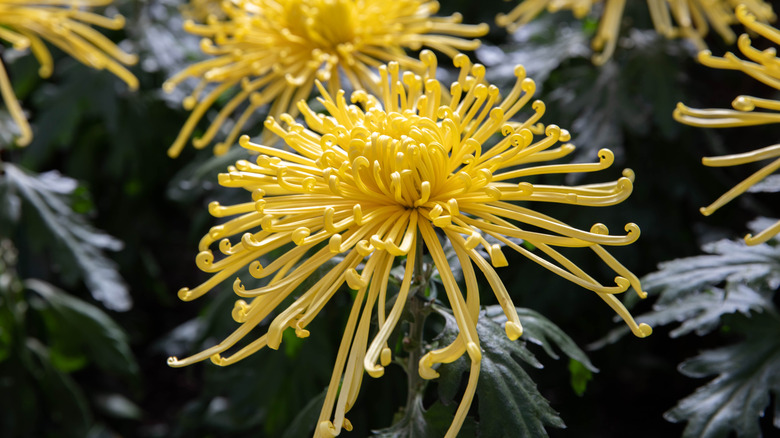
{"points": [[733, 287]]}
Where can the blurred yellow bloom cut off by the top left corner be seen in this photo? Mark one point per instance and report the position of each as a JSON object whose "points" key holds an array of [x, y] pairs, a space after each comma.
{"points": [[63, 23]]}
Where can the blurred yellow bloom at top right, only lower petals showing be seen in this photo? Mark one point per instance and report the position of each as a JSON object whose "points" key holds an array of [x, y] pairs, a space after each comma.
{"points": [[672, 18]]}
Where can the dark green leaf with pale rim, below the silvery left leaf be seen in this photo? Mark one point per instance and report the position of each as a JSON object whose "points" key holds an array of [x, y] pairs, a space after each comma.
{"points": [[94, 332]]}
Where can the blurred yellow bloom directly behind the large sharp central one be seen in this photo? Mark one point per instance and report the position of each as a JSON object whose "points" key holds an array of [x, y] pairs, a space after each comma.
{"points": [[273, 51]]}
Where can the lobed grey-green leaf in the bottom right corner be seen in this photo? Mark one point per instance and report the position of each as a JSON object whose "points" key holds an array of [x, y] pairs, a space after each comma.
{"points": [[739, 395]]}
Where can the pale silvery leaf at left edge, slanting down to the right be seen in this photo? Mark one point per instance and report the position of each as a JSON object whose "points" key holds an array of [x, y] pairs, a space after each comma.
{"points": [[49, 195]]}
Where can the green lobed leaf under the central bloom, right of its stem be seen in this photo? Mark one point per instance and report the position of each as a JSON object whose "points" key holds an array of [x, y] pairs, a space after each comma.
{"points": [[509, 402]]}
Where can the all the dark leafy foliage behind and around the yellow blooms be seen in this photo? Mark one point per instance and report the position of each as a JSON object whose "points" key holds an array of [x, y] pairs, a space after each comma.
{"points": [[72, 365]]}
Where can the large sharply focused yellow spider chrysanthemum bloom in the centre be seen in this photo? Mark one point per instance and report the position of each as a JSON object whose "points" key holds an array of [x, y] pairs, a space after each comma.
{"points": [[371, 181]]}
